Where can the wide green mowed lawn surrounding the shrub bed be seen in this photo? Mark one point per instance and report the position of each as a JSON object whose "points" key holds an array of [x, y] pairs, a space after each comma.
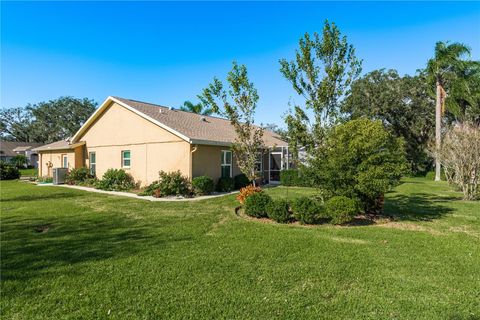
{"points": [[103, 256]]}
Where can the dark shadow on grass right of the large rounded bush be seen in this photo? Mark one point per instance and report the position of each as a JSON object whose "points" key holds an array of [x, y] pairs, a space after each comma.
{"points": [[417, 207]]}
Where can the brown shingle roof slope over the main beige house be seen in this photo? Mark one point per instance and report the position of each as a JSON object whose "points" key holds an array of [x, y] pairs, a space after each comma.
{"points": [[198, 128]]}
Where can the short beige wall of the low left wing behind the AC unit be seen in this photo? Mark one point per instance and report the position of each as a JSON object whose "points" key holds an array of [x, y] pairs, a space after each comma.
{"points": [[53, 159]]}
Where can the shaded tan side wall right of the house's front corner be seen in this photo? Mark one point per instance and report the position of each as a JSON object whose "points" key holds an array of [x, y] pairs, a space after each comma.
{"points": [[207, 162]]}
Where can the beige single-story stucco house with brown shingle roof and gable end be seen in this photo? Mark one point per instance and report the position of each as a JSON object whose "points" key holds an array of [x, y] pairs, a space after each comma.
{"points": [[144, 138]]}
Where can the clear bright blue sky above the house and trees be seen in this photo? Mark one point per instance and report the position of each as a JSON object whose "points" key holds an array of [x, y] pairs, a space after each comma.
{"points": [[167, 52]]}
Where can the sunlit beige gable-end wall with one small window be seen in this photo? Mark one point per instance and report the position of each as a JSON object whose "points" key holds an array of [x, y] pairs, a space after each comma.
{"points": [[151, 148]]}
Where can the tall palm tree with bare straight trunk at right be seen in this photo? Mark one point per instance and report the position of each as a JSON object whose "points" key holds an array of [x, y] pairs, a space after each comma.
{"points": [[443, 69]]}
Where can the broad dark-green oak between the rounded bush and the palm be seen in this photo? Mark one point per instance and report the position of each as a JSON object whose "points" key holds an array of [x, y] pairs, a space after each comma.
{"points": [[402, 104]]}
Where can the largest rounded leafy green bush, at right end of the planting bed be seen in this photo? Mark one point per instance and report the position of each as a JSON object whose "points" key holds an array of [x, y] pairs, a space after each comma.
{"points": [[360, 159]]}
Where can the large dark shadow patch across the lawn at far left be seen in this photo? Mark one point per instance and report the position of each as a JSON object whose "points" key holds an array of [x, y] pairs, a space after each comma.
{"points": [[34, 247]]}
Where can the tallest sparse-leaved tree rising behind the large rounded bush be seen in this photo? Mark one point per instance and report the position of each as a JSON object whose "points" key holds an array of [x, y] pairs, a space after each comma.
{"points": [[323, 69]]}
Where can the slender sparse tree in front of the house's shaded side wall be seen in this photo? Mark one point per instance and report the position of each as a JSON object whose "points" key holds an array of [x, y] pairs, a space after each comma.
{"points": [[237, 100]]}
